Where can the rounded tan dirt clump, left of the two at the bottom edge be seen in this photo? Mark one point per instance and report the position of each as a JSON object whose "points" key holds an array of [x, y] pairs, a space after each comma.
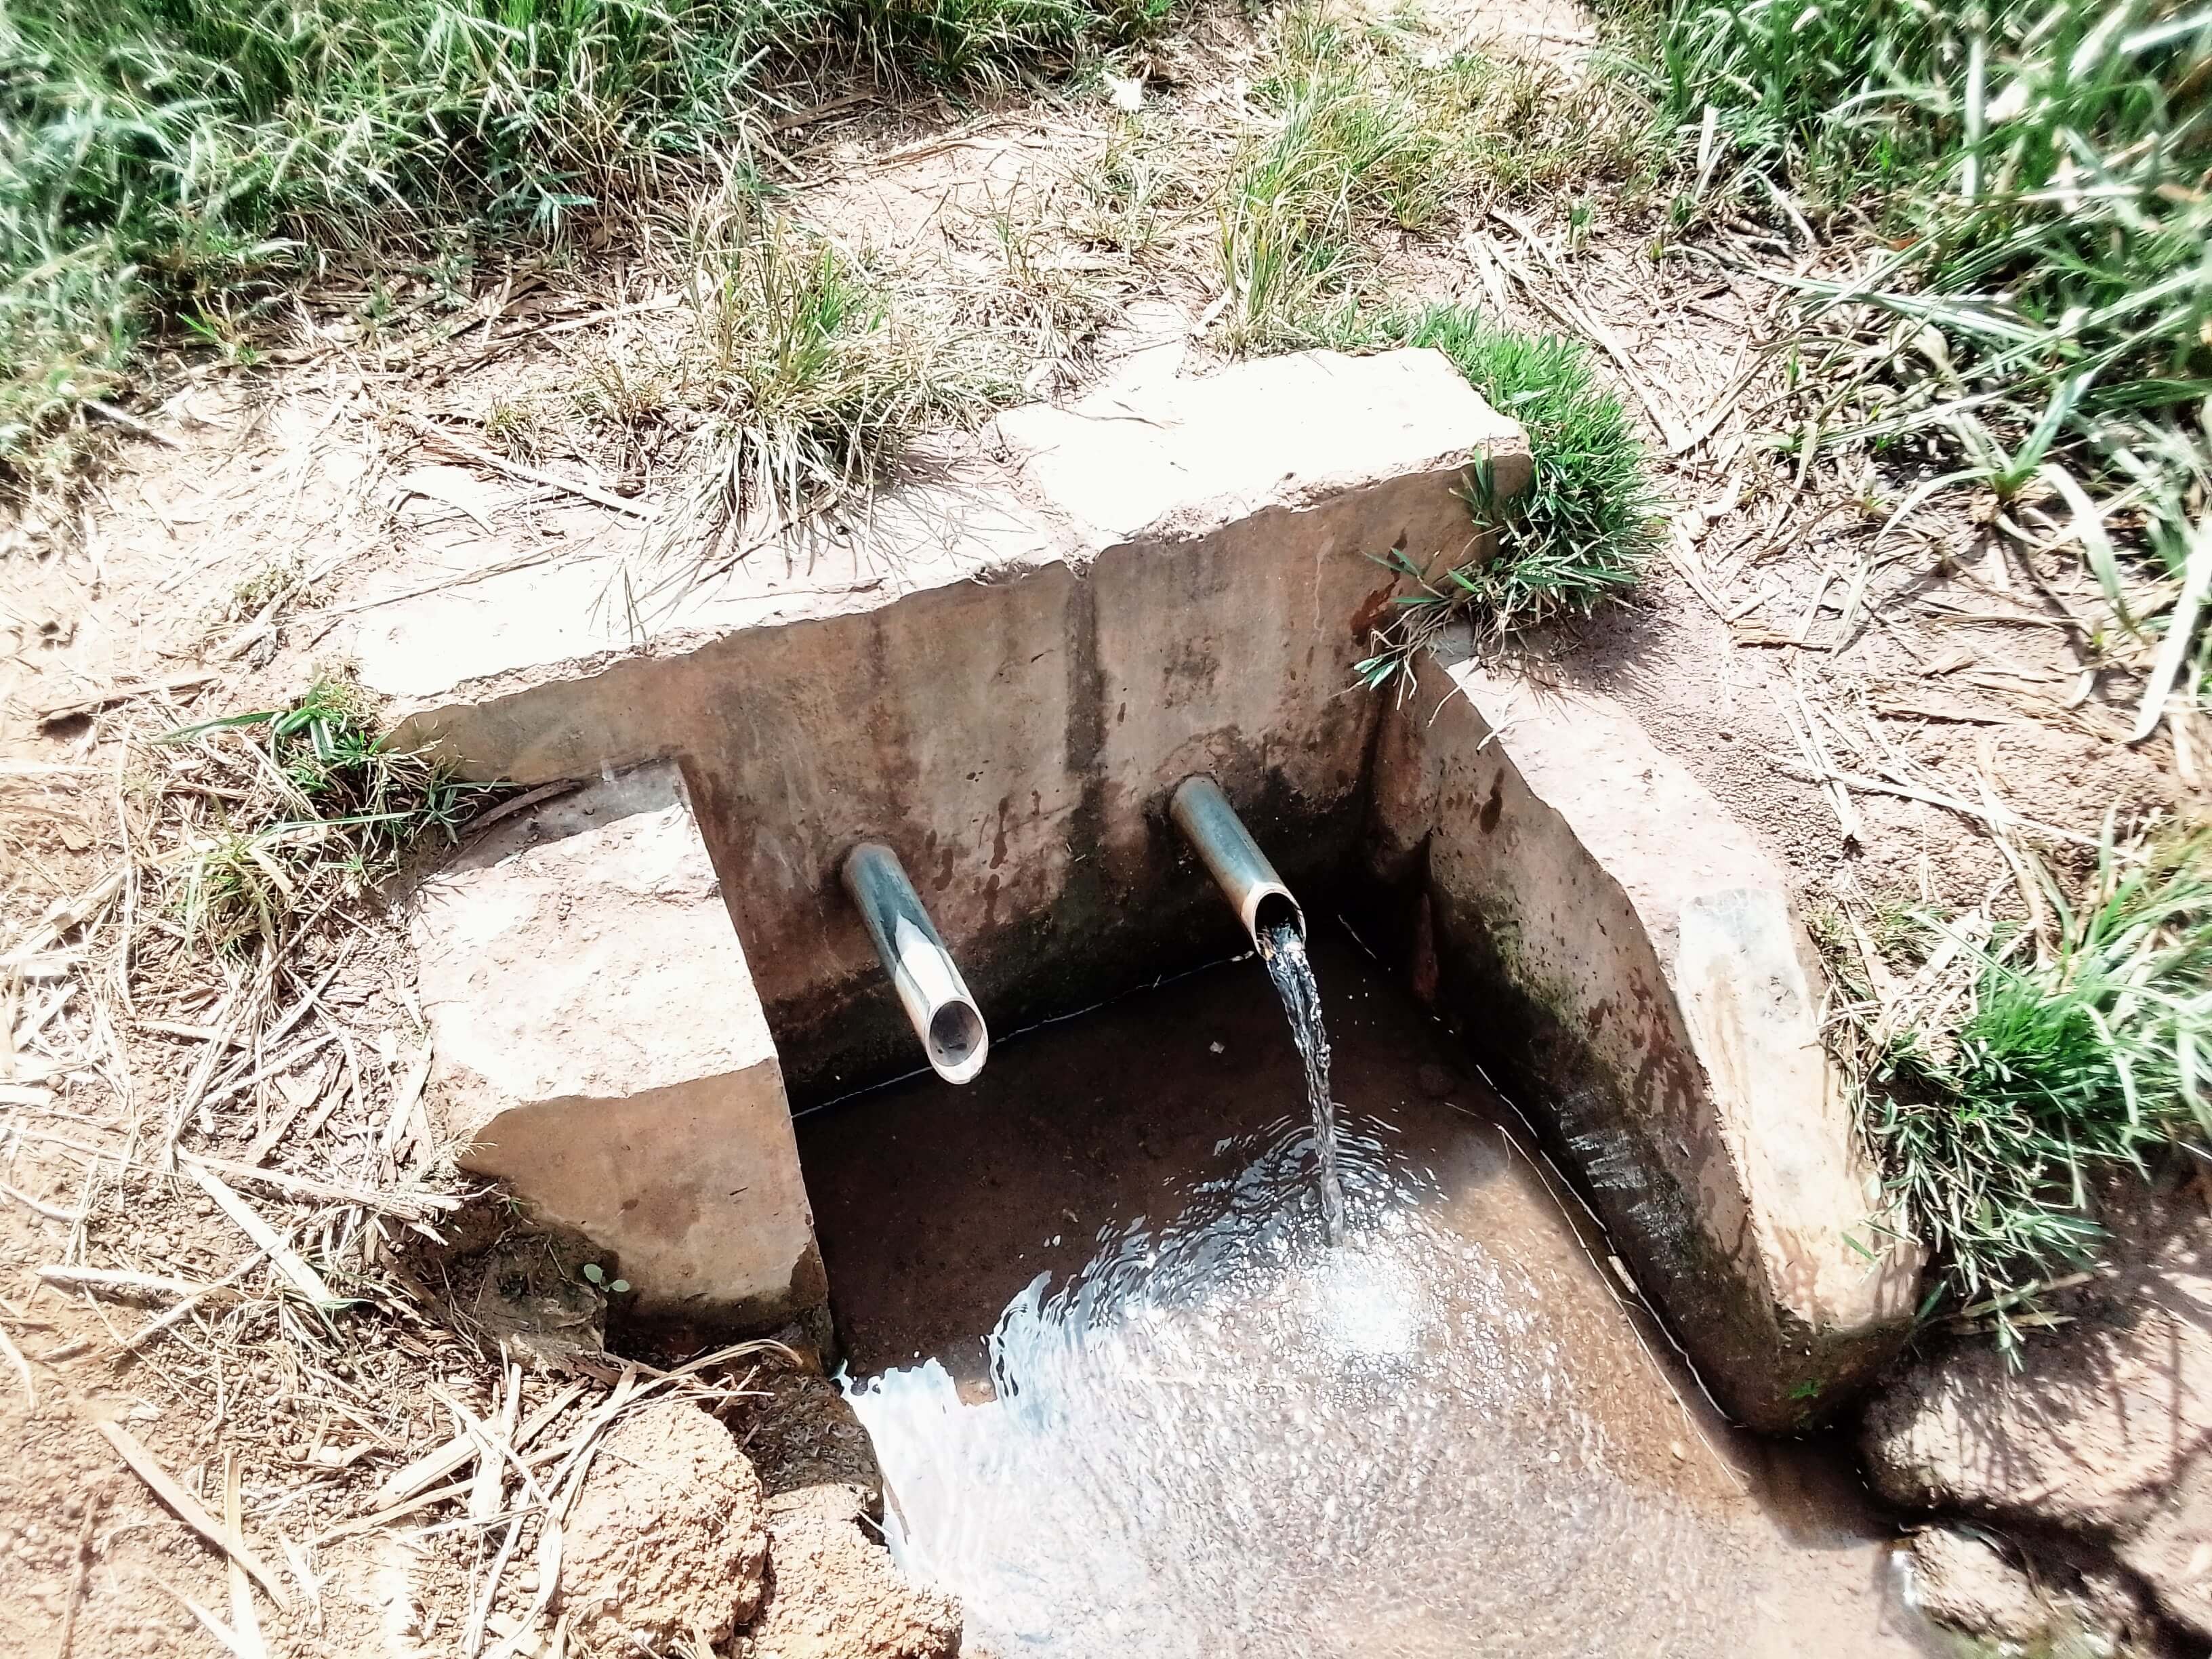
{"points": [[667, 1538]]}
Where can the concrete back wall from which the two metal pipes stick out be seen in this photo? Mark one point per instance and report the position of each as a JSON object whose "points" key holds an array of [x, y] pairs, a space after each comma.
{"points": [[1001, 678]]}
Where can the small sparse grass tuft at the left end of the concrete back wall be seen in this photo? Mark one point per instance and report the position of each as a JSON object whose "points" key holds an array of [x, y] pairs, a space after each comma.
{"points": [[317, 804]]}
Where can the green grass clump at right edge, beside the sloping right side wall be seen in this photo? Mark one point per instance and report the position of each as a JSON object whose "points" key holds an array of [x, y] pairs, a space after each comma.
{"points": [[1992, 1109]]}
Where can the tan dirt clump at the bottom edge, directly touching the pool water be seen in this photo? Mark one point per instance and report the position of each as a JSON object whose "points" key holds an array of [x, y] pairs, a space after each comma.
{"points": [[835, 1594]]}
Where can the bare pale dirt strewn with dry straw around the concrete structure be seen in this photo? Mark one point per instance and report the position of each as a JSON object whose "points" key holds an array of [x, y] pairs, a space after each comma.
{"points": [[196, 1154]]}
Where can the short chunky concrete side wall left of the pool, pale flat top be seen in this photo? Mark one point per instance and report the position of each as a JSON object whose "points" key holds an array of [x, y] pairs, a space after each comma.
{"points": [[601, 1047]]}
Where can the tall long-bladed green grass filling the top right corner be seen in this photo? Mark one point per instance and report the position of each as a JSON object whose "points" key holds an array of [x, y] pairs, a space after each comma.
{"points": [[2036, 176]]}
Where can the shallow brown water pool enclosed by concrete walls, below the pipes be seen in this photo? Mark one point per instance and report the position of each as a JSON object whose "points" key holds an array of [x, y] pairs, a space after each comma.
{"points": [[1211, 1432]]}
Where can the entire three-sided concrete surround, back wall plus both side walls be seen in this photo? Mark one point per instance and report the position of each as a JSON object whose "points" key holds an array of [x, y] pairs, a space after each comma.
{"points": [[1003, 676]]}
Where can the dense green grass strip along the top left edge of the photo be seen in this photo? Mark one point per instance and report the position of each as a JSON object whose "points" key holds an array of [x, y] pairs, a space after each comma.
{"points": [[185, 160]]}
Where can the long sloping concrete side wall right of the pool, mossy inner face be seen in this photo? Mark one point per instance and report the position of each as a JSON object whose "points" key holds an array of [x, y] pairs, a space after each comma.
{"points": [[1625, 950]]}
